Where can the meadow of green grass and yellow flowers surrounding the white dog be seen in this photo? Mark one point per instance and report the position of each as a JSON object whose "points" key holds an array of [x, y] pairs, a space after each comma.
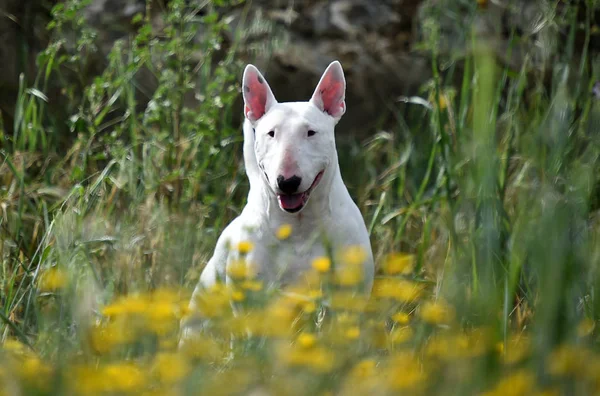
{"points": [[482, 203]]}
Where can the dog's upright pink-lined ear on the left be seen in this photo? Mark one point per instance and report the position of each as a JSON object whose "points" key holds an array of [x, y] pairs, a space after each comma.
{"points": [[258, 97]]}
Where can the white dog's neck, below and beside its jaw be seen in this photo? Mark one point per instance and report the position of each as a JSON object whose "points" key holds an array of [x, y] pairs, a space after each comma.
{"points": [[263, 200]]}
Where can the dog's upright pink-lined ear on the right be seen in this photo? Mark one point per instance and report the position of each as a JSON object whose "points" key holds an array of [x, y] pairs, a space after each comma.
{"points": [[330, 94]]}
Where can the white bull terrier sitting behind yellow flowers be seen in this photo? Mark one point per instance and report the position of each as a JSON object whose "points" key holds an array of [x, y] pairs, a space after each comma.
{"points": [[292, 164]]}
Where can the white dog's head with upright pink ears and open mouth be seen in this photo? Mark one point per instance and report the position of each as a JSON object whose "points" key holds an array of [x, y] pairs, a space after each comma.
{"points": [[294, 143]]}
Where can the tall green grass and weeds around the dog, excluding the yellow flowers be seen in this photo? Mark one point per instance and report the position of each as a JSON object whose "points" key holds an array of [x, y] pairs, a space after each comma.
{"points": [[490, 179]]}
